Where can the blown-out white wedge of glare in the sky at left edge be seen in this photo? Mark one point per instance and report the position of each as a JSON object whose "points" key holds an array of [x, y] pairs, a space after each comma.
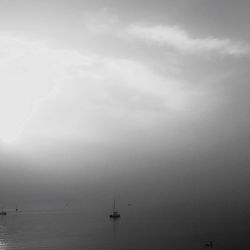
{"points": [[29, 71]]}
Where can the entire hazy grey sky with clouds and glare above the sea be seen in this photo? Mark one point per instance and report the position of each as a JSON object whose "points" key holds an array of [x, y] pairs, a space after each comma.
{"points": [[145, 100]]}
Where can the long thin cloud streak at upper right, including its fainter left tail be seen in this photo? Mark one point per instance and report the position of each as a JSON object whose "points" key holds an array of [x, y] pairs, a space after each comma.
{"points": [[162, 35]]}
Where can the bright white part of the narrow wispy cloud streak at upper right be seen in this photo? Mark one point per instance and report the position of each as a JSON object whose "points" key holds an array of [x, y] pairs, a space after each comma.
{"points": [[180, 40]]}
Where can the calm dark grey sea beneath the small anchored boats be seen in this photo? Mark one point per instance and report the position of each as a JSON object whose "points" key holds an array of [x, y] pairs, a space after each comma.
{"points": [[79, 230]]}
